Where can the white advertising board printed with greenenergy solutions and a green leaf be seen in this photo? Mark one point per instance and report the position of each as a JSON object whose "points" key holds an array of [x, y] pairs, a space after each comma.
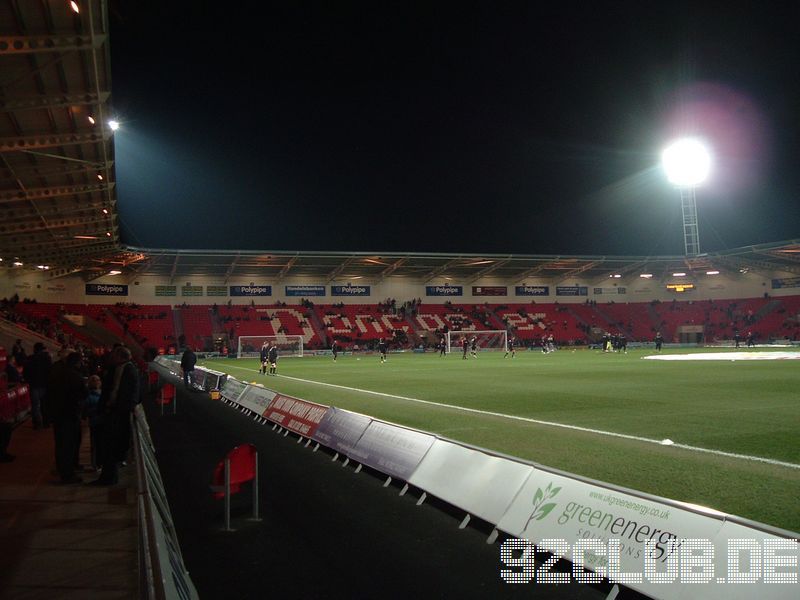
{"points": [[552, 507]]}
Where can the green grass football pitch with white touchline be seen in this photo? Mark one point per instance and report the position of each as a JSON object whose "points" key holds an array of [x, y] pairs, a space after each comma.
{"points": [[747, 408]]}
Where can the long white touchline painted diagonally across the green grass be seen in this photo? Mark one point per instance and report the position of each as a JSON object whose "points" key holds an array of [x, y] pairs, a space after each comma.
{"points": [[625, 436]]}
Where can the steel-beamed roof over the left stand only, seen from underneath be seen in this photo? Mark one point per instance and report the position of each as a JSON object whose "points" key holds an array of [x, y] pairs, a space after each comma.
{"points": [[57, 200]]}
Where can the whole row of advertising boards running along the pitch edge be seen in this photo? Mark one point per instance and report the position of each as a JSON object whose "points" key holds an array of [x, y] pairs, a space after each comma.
{"points": [[556, 511]]}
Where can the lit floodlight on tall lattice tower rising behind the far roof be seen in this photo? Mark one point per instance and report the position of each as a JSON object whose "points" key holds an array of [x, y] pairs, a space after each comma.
{"points": [[687, 163]]}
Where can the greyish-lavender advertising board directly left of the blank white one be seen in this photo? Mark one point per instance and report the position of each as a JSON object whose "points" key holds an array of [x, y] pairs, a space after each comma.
{"points": [[391, 449]]}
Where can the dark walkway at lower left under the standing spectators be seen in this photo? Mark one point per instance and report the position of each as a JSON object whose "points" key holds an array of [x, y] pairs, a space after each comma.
{"points": [[64, 541]]}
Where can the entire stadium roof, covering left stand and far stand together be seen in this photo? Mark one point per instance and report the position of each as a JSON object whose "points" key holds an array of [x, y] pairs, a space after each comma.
{"points": [[58, 202]]}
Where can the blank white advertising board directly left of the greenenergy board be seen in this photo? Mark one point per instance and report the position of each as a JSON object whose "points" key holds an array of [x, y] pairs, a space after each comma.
{"points": [[479, 483]]}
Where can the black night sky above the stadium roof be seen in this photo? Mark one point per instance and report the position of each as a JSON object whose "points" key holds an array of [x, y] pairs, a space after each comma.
{"points": [[489, 127]]}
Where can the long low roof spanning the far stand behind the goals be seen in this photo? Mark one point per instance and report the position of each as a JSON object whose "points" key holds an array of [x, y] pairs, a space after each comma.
{"points": [[373, 267]]}
